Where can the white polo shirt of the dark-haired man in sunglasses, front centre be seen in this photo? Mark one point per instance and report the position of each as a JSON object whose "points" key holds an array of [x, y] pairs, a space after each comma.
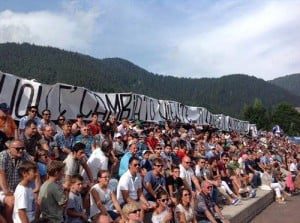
{"points": [[129, 183]]}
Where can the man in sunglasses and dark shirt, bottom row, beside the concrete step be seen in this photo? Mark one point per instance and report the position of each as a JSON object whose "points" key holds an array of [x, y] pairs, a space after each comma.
{"points": [[206, 210]]}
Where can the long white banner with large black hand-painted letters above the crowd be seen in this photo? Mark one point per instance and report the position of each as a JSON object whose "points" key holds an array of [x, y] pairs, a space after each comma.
{"points": [[67, 100]]}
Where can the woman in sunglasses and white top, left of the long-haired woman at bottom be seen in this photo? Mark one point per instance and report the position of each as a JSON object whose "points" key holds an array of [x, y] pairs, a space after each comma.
{"points": [[162, 212]]}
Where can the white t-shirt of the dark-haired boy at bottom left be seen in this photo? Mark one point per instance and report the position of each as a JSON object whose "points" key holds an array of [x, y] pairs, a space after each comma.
{"points": [[24, 199]]}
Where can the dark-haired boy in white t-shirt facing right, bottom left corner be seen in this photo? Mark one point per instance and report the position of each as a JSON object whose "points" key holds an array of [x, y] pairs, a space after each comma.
{"points": [[24, 207]]}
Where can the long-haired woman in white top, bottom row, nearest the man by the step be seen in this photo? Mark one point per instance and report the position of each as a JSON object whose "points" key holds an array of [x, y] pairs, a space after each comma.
{"points": [[184, 211]]}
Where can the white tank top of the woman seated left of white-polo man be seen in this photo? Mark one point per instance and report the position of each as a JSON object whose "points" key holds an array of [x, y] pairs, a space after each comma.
{"points": [[105, 197]]}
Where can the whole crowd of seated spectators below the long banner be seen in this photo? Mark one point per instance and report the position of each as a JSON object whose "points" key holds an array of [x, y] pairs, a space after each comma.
{"points": [[131, 171]]}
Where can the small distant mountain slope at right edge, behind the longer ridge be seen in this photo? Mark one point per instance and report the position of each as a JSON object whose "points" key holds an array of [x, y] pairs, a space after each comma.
{"points": [[290, 83]]}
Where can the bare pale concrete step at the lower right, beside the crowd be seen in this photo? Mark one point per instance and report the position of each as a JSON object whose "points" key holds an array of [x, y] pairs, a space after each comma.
{"points": [[248, 208]]}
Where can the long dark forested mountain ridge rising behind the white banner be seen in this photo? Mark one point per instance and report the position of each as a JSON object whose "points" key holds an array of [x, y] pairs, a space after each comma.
{"points": [[225, 95]]}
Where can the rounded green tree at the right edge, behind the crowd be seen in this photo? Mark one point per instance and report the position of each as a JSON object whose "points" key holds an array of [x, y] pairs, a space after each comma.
{"points": [[287, 117]]}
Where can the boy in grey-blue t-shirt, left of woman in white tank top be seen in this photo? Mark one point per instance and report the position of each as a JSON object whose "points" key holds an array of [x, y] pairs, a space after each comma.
{"points": [[74, 209]]}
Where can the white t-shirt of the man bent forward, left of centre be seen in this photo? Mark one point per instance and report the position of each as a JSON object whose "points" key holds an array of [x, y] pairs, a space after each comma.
{"points": [[97, 161]]}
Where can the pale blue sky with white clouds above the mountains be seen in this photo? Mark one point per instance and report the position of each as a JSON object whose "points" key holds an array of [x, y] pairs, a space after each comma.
{"points": [[183, 38]]}
